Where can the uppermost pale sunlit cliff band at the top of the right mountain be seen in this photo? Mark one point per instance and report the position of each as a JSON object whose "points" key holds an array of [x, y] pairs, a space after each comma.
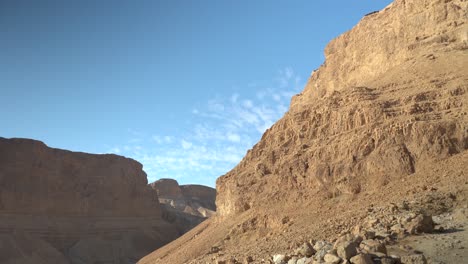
{"points": [[403, 31]]}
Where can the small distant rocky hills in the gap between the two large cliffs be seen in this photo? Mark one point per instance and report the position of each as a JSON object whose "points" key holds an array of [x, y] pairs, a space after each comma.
{"points": [[185, 205]]}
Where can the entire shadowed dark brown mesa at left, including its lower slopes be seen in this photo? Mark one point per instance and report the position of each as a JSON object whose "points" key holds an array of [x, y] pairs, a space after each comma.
{"points": [[86, 207]]}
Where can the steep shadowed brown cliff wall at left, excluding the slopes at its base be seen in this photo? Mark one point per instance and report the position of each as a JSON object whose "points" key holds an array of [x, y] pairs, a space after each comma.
{"points": [[40, 180]]}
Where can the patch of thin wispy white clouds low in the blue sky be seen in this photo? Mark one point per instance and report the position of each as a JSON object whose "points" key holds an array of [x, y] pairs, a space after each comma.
{"points": [[224, 129]]}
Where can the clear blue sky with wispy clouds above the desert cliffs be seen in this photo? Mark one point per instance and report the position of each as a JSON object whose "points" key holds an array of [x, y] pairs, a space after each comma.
{"points": [[184, 87]]}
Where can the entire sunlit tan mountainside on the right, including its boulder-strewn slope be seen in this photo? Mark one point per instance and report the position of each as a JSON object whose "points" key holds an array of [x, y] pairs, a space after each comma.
{"points": [[369, 163]]}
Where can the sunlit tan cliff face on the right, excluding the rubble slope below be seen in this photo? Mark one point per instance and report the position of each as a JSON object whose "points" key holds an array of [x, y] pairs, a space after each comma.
{"points": [[391, 96]]}
